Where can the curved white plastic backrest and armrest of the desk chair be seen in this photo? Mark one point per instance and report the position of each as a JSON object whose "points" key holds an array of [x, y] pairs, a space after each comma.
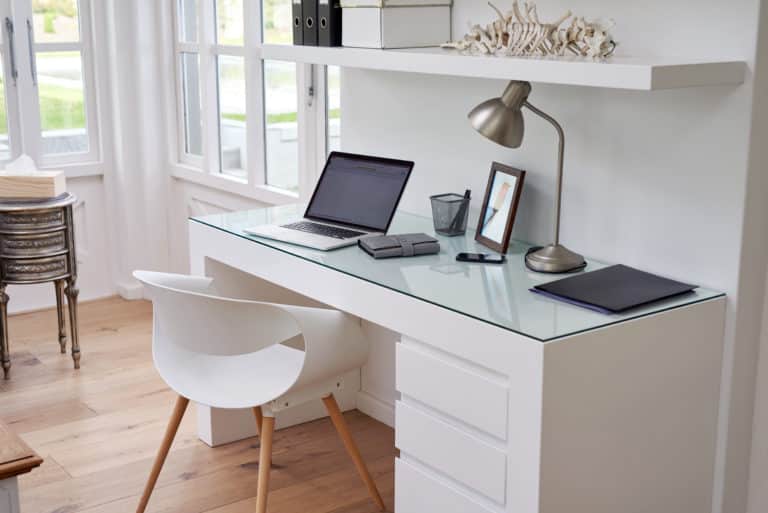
{"points": [[189, 314]]}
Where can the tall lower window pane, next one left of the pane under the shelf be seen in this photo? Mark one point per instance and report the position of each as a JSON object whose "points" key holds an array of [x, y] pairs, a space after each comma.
{"points": [[232, 121]]}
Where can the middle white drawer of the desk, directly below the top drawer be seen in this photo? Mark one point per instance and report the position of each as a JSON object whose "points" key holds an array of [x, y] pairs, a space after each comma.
{"points": [[451, 451]]}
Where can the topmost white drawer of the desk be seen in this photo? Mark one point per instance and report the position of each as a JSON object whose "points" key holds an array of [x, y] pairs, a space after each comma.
{"points": [[449, 388]]}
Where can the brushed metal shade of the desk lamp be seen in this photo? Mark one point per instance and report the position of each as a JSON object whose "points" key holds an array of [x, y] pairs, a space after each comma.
{"points": [[500, 119]]}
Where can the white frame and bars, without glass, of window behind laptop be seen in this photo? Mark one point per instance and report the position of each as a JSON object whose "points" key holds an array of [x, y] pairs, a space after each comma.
{"points": [[310, 116]]}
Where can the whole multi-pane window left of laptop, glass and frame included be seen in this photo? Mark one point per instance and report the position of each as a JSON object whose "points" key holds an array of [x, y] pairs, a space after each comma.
{"points": [[241, 117]]}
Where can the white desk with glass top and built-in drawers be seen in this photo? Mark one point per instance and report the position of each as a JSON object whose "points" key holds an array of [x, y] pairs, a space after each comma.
{"points": [[509, 401]]}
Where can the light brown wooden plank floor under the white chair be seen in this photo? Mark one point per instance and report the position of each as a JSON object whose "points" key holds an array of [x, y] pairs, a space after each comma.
{"points": [[98, 430]]}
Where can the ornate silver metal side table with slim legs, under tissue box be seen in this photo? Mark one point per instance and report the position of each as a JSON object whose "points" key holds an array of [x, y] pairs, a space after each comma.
{"points": [[37, 245]]}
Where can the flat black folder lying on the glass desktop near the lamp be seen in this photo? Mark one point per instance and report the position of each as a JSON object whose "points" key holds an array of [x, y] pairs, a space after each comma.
{"points": [[613, 289]]}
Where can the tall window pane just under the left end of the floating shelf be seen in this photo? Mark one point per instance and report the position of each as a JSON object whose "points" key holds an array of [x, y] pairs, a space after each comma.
{"points": [[281, 126]]}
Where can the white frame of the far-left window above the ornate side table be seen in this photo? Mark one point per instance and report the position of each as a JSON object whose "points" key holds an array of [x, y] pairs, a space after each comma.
{"points": [[22, 98]]}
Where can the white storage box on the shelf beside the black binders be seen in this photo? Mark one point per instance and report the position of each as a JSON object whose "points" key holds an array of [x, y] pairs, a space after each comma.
{"points": [[398, 24]]}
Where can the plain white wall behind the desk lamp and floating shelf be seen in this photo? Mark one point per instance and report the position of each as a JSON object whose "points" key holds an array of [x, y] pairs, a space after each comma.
{"points": [[656, 180]]}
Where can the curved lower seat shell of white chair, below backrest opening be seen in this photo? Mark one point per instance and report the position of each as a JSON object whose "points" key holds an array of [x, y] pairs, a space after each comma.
{"points": [[240, 381]]}
